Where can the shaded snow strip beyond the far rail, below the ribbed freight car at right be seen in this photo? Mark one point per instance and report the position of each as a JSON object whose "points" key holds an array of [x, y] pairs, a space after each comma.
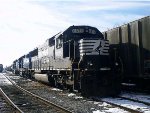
{"points": [[137, 96]]}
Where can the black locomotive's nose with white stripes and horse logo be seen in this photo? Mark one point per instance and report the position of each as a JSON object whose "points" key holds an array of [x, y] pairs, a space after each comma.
{"points": [[94, 53]]}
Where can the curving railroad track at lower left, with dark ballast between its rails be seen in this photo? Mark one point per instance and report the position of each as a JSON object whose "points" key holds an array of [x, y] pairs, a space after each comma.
{"points": [[29, 102]]}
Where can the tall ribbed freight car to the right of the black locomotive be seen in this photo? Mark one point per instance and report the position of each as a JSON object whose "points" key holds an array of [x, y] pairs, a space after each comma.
{"points": [[132, 43]]}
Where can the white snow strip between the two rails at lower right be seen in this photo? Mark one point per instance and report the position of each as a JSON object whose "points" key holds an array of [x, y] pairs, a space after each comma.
{"points": [[129, 104]]}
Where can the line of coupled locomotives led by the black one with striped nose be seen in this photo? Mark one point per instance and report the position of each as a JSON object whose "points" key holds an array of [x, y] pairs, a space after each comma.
{"points": [[77, 59]]}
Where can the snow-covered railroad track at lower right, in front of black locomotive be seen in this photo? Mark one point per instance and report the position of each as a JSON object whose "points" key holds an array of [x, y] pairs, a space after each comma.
{"points": [[133, 105]]}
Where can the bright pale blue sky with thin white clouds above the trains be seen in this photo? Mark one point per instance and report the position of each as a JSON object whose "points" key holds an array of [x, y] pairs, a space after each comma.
{"points": [[25, 24]]}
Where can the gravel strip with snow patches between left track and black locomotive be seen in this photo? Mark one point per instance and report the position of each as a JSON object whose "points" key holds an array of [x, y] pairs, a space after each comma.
{"points": [[73, 102]]}
